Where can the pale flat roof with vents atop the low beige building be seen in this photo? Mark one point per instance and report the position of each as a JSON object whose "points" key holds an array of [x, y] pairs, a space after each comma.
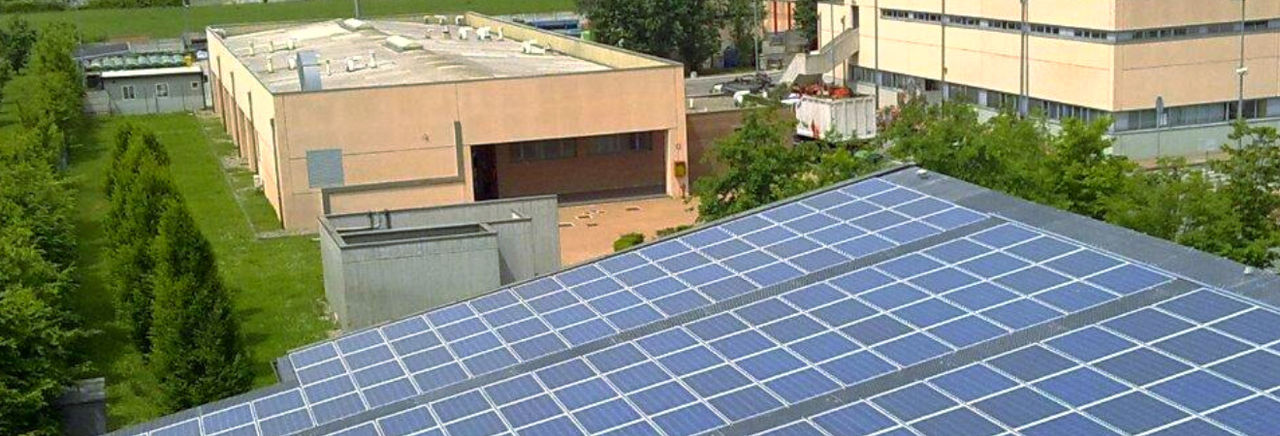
{"points": [[444, 56]]}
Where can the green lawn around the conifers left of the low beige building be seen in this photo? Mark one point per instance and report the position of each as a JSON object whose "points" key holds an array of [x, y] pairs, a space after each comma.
{"points": [[277, 282]]}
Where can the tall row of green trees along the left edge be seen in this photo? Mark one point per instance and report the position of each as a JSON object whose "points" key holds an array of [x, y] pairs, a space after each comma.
{"points": [[38, 329]]}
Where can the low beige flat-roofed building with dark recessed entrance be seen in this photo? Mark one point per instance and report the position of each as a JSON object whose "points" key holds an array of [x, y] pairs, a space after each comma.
{"points": [[356, 116]]}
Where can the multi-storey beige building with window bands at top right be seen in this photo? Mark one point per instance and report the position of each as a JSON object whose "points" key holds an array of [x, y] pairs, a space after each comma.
{"points": [[1081, 58]]}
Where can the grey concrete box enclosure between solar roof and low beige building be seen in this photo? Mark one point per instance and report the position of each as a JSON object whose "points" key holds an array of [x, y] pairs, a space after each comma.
{"points": [[385, 265]]}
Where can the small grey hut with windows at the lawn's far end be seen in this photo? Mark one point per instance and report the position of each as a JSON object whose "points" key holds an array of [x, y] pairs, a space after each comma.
{"points": [[182, 95]]}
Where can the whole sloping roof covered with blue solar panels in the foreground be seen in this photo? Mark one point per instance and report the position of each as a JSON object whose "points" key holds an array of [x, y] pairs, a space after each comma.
{"points": [[903, 302]]}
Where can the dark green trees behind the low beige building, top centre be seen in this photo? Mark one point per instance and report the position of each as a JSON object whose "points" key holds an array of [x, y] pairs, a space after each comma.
{"points": [[688, 31]]}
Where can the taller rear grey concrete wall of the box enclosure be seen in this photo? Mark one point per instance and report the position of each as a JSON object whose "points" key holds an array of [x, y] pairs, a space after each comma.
{"points": [[528, 251]]}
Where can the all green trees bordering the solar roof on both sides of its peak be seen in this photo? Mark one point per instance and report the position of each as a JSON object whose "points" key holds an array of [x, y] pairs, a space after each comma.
{"points": [[1229, 208]]}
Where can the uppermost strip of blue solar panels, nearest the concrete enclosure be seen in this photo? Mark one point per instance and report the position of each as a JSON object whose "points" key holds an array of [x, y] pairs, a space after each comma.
{"points": [[419, 355]]}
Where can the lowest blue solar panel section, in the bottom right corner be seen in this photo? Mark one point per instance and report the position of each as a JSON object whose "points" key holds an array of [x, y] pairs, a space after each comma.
{"points": [[1204, 364]]}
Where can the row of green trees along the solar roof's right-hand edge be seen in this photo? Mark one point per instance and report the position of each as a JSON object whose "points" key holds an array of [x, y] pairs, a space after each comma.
{"points": [[1229, 208]]}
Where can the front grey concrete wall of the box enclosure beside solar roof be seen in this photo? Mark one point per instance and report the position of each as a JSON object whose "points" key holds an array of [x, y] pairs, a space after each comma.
{"points": [[387, 282]]}
